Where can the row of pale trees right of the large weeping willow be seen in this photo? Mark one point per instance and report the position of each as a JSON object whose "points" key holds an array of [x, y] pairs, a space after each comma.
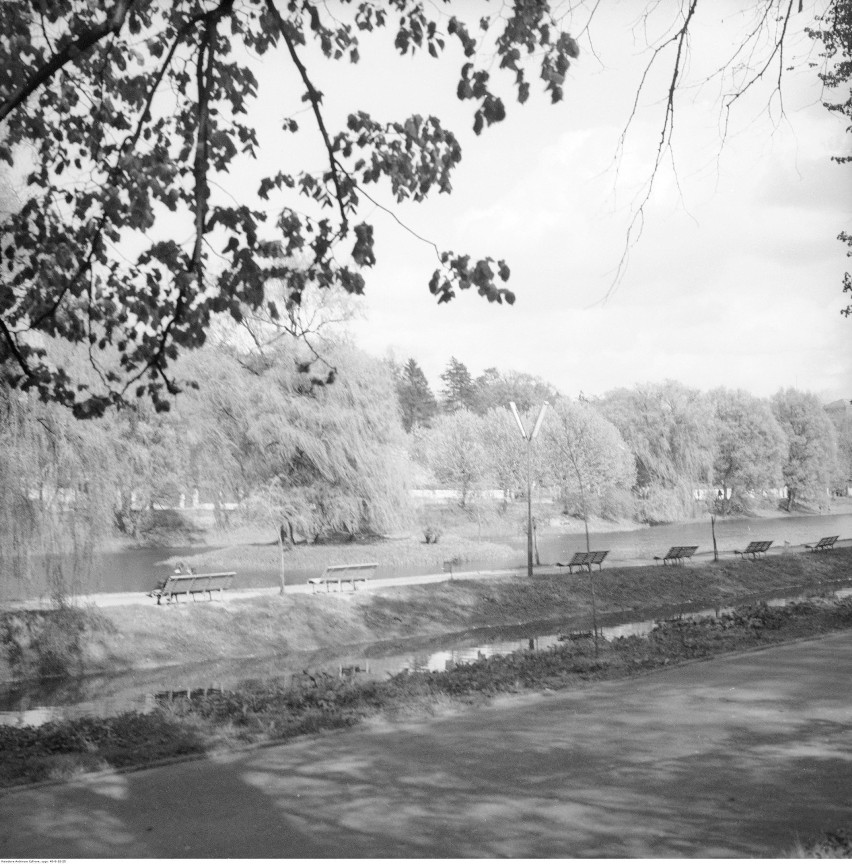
{"points": [[640, 451]]}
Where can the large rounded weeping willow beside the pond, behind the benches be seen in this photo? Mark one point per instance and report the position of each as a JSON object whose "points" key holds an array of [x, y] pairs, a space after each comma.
{"points": [[317, 460]]}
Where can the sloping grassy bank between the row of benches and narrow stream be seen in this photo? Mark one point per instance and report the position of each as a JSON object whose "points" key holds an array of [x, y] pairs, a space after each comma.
{"points": [[135, 637]]}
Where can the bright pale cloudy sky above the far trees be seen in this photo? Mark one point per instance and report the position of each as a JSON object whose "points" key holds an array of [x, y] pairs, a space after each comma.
{"points": [[736, 280]]}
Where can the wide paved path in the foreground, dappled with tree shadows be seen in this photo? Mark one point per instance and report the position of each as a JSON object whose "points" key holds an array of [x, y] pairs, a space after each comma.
{"points": [[735, 757]]}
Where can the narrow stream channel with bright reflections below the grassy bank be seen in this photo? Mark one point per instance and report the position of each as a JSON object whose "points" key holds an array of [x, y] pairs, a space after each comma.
{"points": [[36, 703]]}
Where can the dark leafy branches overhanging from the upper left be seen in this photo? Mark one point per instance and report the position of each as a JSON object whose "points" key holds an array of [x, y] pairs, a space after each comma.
{"points": [[116, 114]]}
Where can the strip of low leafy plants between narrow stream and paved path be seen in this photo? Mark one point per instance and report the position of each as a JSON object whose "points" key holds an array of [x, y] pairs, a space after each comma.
{"points": [[274, 711]]}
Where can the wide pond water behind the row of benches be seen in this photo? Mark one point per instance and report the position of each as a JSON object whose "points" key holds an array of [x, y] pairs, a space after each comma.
{"points": [[141, 569]]}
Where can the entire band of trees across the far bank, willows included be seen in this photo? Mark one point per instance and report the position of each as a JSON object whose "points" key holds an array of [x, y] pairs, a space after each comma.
{"points": [[321, 441]]}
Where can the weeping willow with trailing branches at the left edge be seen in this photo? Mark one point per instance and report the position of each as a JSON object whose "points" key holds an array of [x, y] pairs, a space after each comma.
{"points": [[55, 500]]}
